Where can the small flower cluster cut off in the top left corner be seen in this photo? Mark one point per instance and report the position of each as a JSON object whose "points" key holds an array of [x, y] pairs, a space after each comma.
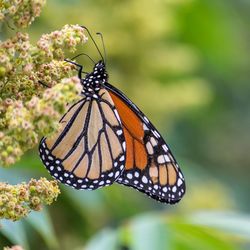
{"points": [[21, 12]]}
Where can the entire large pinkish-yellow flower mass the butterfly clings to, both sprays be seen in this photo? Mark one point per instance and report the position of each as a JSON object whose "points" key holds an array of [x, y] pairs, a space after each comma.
{"points": [[28, 109]]}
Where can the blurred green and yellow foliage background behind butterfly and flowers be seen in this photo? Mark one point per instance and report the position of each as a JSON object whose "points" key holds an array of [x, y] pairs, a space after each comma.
{"points": [[186, 64]]}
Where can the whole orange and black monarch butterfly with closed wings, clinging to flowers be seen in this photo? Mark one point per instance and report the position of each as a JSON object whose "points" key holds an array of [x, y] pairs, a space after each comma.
{"points": [[105, 138]]}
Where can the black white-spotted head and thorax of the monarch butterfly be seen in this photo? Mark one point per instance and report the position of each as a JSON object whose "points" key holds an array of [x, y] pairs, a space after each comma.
{"points": [[95, 80]]}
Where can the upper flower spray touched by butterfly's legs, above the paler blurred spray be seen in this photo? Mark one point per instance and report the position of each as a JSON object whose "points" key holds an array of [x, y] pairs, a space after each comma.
{"points": [[23, 65]]}
